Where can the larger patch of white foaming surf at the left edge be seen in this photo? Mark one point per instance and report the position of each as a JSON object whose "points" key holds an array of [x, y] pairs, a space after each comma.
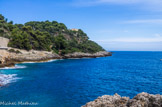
{"points": [[6, 79]]}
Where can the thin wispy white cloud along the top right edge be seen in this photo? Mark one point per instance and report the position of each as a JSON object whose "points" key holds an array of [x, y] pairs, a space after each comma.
{"points": [[145, 4]]}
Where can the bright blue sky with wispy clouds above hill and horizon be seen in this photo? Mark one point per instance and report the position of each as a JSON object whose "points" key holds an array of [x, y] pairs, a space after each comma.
{"points": [[117, 25]]}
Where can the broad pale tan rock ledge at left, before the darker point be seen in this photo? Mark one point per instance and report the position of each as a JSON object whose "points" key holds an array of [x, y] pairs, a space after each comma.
{"points": [[8, 58]]}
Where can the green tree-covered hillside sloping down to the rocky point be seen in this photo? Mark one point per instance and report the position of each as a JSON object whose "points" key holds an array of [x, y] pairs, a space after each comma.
{"points": [[46, 35]]}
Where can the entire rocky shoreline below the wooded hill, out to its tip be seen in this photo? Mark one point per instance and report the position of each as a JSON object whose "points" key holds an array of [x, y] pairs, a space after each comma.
{"points": [[8, 59]]}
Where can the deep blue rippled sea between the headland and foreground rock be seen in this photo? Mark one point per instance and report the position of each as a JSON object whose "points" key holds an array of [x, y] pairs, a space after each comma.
{"points": [[74, 82]]}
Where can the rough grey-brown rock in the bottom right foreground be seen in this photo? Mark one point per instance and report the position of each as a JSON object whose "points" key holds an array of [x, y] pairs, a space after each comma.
{"points": [[140, 100]]}
